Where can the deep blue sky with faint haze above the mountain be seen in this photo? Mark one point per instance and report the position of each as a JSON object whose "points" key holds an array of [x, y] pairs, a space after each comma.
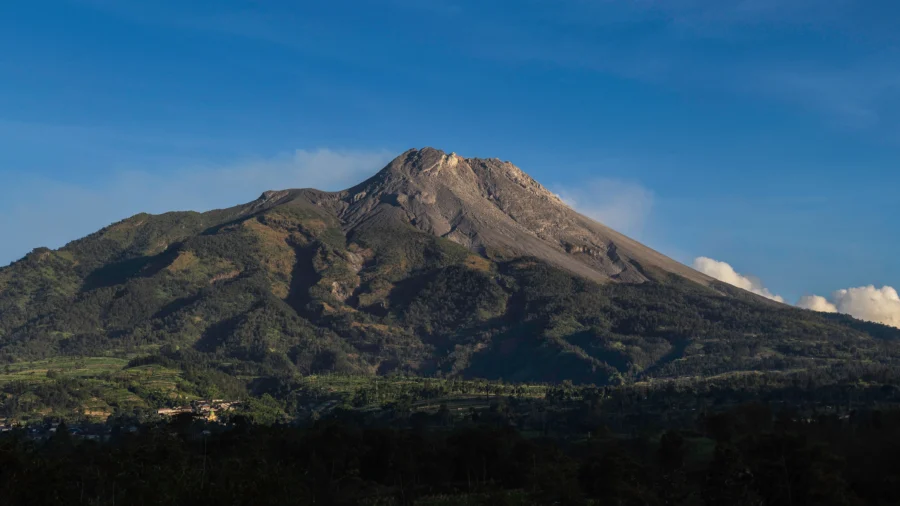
{"points": [[762, 133]]}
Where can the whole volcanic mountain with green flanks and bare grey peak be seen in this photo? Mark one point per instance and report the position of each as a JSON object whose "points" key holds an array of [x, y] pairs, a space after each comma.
{"points": [[437, 265]]}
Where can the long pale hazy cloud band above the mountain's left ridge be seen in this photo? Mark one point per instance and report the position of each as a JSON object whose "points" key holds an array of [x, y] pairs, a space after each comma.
{"points": [[39, 212]]}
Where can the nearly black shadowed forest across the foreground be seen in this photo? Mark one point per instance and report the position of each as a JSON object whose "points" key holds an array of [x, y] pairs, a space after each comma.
{"points": [[748, 455]]}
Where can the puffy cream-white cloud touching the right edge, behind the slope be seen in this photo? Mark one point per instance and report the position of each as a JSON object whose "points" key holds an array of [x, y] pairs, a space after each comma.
{"points": [[880, 305]]}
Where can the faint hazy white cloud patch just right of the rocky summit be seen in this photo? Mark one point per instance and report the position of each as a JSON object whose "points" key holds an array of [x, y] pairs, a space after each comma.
{"points": [[620, 205]]}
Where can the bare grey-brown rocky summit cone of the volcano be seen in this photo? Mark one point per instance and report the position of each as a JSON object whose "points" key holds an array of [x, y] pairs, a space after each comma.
{"points": [[493, 208]]}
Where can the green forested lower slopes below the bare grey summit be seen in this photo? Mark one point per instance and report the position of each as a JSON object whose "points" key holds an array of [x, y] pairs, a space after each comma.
{"points": [[157, 310]]}
